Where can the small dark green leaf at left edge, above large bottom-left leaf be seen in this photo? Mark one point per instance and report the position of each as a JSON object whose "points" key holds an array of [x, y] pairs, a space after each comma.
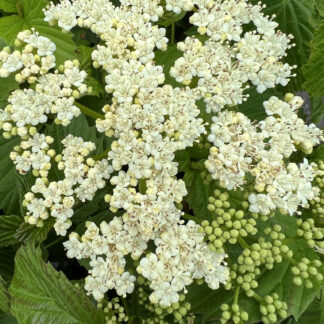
{"points": [[8, 228]]}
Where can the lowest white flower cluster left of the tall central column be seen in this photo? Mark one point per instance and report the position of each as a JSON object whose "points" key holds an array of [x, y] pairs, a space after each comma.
{"points": [[82, 178]]}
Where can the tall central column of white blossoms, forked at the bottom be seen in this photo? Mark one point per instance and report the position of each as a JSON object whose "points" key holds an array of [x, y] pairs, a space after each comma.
{"points": [[150, 123]]}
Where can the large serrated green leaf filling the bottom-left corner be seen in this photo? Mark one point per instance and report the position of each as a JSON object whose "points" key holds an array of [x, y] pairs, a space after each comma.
{"points": [[40, 294]]}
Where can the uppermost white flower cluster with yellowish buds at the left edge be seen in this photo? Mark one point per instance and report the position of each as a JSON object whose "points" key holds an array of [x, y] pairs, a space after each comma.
{"points": [[36, 57]]}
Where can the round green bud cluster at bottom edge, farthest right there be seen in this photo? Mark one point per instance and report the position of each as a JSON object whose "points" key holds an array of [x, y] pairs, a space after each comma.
{"points": [[271, 308]]}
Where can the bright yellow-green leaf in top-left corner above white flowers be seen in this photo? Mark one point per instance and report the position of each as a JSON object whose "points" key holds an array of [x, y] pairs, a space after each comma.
{"points": [[33, 17]]}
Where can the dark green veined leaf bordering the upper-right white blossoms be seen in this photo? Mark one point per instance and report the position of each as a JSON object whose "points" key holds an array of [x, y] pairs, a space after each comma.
{"points": [[294, 17]]}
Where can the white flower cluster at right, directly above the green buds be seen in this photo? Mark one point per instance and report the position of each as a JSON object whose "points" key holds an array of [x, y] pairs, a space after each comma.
{"points": [[242, 148]]}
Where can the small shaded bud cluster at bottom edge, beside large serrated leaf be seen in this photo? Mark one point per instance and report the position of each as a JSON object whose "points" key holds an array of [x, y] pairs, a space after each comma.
{"points": [[114, 311]]}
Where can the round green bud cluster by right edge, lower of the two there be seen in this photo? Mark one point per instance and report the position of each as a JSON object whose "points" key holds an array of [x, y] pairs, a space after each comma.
{"points": [[305, 271]]}
